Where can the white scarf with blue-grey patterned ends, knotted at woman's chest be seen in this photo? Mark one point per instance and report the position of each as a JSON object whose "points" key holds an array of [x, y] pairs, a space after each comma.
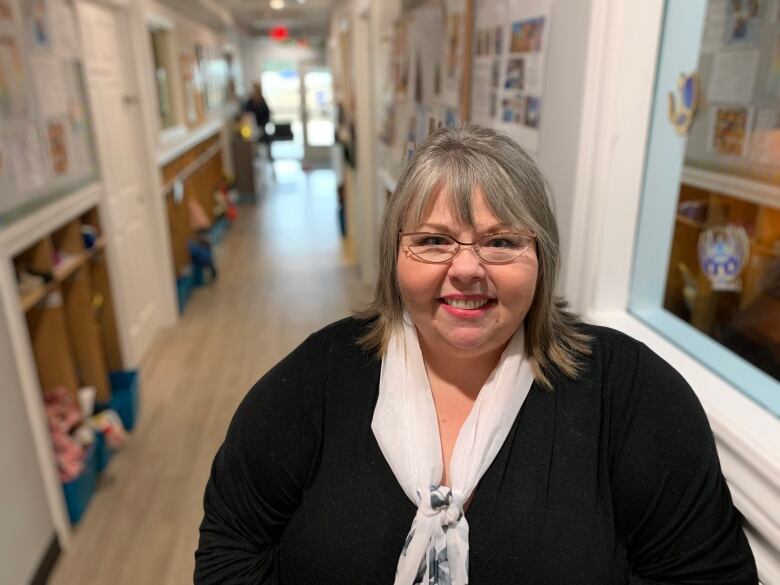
{"points": [[407, 430]]}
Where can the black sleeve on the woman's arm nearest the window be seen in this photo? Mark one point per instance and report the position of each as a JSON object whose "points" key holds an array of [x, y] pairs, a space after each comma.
{"points": [[672, 505]]}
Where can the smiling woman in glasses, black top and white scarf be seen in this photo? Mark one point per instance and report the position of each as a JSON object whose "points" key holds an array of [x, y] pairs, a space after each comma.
{"points": [[468, 428]]}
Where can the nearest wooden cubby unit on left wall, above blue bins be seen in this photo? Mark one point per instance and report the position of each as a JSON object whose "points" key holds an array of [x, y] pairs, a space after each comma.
{"points": [[70, 313]]}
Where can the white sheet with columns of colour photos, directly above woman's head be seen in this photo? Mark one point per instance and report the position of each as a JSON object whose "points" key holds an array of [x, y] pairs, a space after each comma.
{"points": [[522, 96]]}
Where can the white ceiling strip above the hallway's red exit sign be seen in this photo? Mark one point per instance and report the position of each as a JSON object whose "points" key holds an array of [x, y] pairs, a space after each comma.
{"points": [[304, 19]]}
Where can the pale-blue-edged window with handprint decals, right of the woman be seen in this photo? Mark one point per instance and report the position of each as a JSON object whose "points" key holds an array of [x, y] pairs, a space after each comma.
{"points": [[707, 265]]}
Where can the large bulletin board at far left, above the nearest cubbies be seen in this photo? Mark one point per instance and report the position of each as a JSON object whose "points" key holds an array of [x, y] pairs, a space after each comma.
{"points": [[46, 142]]}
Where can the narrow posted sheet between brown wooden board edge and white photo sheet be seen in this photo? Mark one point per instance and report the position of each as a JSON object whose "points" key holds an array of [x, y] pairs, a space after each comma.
{"points": [[490, 47]]}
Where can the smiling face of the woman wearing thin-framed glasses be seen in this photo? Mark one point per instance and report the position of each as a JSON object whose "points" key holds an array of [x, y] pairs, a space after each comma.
{"points": [[430, 290]]}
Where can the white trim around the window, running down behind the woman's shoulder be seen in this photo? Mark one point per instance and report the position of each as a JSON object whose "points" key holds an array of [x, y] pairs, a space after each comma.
{"points": [[618, 100]]}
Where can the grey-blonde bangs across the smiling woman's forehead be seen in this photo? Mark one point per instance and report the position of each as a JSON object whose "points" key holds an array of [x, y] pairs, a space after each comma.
{"points": [[456, 177]]}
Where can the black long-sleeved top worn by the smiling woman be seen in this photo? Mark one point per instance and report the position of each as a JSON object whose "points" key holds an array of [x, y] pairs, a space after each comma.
{"points": [[610, 479]]}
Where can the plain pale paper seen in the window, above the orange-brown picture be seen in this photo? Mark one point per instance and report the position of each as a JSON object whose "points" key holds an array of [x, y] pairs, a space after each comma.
{"points": [[733, 77]]}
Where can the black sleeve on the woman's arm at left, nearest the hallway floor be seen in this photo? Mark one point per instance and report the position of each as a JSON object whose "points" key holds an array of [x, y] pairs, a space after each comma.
{"points": [[258, 476]]}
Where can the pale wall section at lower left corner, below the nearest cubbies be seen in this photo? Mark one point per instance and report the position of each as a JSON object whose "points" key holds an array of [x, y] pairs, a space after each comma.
{"points": [[26, 525]]}
